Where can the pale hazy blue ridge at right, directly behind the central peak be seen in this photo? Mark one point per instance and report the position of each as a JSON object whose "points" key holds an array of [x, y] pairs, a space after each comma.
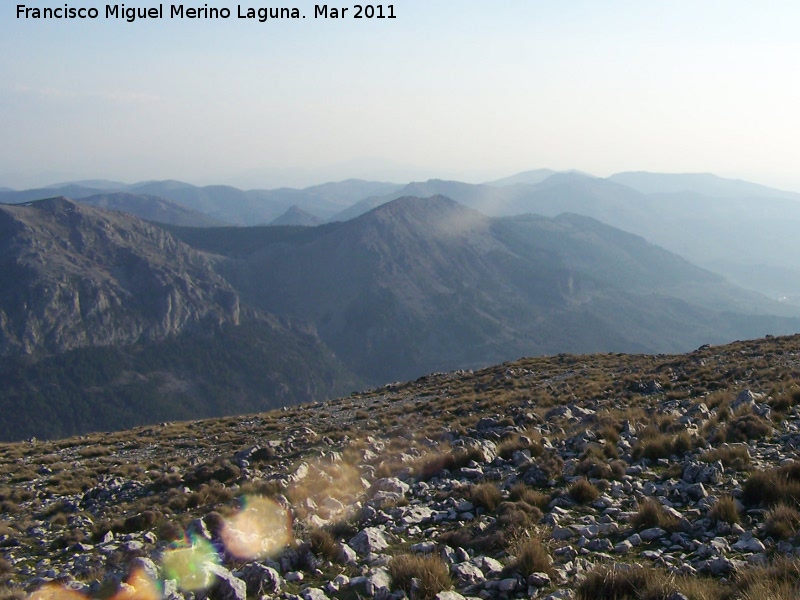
{"points": [[745, 237]]}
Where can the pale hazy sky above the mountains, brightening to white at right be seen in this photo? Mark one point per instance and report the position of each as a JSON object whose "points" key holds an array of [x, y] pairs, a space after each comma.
{"points": [[453, 89]]}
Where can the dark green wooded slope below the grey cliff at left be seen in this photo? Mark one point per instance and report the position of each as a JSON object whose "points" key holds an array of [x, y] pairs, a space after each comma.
{"points": [[237, 369]]}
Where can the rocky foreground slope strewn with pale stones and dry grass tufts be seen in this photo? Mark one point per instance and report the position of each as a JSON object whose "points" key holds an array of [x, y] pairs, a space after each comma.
{"points": [[597, 476]]}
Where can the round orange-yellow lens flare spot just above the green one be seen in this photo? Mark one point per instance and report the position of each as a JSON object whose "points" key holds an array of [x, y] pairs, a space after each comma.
{"points": [[261, 529]]}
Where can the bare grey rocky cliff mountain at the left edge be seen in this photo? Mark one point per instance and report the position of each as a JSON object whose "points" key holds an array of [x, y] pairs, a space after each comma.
{"points": [[73, 276]]}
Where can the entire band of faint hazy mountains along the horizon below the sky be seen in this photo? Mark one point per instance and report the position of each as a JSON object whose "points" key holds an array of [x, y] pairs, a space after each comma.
{"points": [[739, 229]]}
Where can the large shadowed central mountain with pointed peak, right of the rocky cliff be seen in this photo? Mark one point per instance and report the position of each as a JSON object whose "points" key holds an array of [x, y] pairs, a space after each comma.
{"points": [[417, 285]]}
